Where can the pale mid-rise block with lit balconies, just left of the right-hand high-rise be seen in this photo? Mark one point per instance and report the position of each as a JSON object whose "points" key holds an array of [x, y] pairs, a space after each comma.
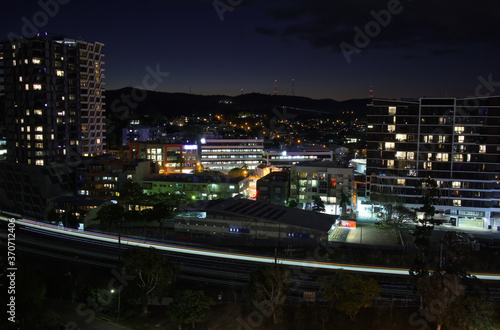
{"points": [[325, 179]]}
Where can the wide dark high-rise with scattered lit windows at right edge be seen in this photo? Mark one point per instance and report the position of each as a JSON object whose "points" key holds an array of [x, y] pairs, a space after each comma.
{"points": [[455, 142]]}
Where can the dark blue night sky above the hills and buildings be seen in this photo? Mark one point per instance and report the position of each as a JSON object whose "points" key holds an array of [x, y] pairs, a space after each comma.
{"points": [[428, 48]]}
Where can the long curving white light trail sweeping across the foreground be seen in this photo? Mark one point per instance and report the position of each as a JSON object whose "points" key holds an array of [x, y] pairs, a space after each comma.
{"points": [[213, 253]]}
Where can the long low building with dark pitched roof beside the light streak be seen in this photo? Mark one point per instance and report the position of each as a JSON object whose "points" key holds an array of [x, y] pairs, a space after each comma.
{"points": [[253, 223]]}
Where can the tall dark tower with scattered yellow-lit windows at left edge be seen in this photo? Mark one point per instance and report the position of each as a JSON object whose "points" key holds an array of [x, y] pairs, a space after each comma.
{"points": [[53, 98]]}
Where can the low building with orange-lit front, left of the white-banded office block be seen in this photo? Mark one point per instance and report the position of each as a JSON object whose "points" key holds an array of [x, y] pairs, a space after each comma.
{"points": [[171, 158]]}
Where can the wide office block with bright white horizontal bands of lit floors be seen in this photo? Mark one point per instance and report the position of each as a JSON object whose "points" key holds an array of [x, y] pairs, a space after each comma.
{"points": [[225, 154]]}
